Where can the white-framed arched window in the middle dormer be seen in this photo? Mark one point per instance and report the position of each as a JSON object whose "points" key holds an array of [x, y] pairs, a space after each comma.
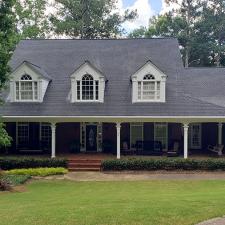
{"points": [[87, 88]]}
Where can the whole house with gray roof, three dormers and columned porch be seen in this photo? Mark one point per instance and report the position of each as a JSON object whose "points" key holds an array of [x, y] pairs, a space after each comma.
{"points": [[111, 96]]}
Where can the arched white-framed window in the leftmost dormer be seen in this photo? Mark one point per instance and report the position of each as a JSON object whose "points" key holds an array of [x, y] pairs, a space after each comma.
{"points": [[26, 89]]}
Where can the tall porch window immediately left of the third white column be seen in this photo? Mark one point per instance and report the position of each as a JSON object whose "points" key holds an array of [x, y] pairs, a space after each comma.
{"points": [[161, 134]]}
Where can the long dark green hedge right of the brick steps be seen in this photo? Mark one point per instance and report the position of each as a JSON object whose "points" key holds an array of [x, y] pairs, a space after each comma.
{"points": [[164, 164]]}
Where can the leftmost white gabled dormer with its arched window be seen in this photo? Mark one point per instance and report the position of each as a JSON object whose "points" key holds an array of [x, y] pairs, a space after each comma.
{"points": [[28, 83]]}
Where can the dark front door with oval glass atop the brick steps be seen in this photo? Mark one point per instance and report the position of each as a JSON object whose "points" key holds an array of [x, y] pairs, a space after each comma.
{"points": [[91, 138]]}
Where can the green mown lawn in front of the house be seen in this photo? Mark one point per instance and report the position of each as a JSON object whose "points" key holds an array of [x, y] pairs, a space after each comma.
{"points": [[111, 203]]}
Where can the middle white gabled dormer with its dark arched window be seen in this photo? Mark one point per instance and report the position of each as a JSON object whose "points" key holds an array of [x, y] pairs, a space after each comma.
{"points": [[87, 84]]}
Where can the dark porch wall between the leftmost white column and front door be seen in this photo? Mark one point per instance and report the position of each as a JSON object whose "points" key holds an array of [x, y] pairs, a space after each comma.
{"points": [[66, 133]]}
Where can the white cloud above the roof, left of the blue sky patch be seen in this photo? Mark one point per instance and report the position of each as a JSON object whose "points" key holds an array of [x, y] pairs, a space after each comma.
{"points": [[144, 11]]}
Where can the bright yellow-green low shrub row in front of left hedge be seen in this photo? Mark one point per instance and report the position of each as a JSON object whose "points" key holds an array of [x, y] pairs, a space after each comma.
{"points": [[43, 172]]}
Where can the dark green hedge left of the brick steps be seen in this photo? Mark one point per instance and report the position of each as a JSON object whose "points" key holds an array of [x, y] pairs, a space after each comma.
{"points": [[18, 163]]}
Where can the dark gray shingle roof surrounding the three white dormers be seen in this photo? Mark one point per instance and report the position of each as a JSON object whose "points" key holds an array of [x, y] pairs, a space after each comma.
{"points": [[118, 60]]}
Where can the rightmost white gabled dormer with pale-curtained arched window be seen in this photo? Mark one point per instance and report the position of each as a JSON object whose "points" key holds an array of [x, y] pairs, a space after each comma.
{"points": [[149, 84]]}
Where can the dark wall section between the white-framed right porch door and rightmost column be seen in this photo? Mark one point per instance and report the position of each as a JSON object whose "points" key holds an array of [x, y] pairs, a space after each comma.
{"points": [[209, 134]]}
